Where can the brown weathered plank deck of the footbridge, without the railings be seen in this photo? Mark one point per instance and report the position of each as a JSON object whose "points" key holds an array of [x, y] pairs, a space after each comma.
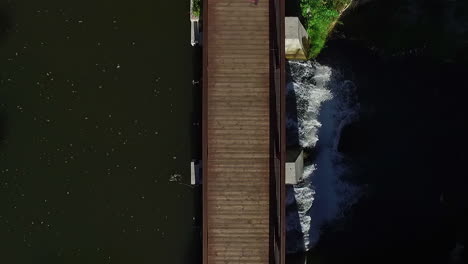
{"points": [[237, 143]]}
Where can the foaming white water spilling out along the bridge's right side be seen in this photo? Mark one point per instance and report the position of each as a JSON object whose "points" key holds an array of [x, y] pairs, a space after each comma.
{"points": [[324, 103]]}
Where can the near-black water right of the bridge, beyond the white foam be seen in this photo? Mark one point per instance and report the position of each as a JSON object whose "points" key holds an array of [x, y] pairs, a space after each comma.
{"points": [[406, 151]]}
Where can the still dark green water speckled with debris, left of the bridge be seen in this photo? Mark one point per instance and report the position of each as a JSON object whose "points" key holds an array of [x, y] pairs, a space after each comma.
{"points": [[96, 115]]}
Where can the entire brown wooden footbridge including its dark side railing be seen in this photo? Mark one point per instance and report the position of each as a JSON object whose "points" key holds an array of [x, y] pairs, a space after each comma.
{"points": [[243, 131]]}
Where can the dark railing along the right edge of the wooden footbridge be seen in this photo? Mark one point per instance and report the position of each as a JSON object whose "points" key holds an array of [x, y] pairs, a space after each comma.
{"points": [[277, 135]]}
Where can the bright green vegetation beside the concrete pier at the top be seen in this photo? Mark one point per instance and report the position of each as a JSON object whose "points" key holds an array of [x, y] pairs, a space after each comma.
{"points": [[320, 16]]}
